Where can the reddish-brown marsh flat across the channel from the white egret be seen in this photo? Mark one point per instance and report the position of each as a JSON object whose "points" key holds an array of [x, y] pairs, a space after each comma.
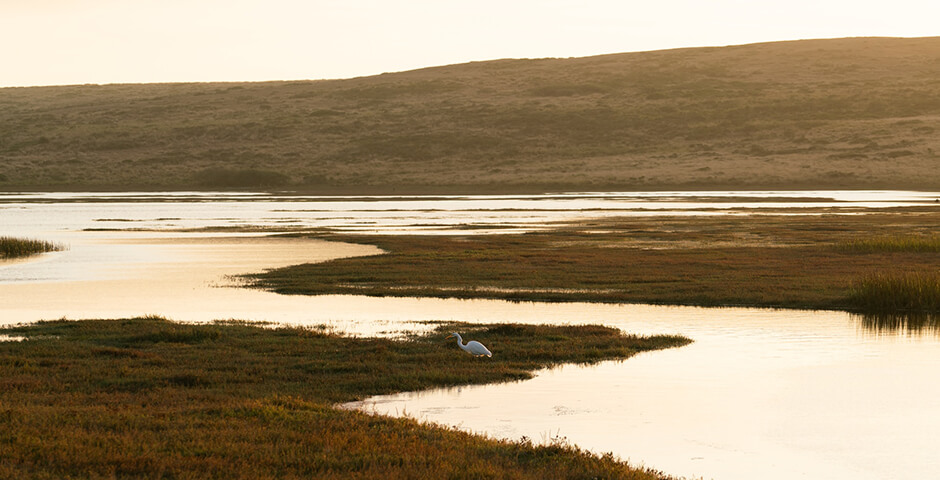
{"points": [[767, 261]]}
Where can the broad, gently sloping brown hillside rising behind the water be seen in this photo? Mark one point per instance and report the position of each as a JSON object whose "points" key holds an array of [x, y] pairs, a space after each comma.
{"points": [[845, 113]]}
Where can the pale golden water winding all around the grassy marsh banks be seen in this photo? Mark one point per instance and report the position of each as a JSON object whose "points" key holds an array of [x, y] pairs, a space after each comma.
{"points": [[760, 394]]}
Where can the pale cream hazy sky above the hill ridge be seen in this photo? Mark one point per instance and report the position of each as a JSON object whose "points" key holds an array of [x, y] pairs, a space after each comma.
{"points": [[64, 42]]}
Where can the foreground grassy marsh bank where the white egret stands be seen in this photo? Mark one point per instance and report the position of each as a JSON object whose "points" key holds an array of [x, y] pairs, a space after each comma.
{"points": [[147, 398]]}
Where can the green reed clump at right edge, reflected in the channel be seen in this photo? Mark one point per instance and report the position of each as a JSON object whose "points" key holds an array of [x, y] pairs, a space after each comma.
{"points": [[897, 292]]}
